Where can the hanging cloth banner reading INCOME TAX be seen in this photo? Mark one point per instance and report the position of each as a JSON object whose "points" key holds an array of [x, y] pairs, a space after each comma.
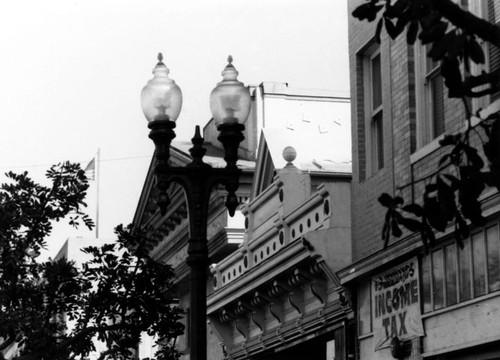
{"points": [[396, 304]]}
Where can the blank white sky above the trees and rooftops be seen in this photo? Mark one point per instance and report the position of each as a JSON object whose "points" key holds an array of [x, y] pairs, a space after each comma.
{"points": [[71, 72]]}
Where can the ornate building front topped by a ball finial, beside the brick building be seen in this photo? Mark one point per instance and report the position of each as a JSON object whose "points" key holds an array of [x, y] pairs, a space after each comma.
{"points": [[277, 296]]}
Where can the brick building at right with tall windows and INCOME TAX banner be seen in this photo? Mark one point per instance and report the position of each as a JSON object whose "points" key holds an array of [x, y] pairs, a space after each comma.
{"points": [[440, 305]]}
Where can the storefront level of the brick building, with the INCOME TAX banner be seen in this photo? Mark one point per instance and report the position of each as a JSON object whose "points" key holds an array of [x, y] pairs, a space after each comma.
{"points": [[440, 305]]}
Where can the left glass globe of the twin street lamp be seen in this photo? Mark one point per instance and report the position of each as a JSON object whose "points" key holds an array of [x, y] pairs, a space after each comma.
{"points": [[161, 98]]}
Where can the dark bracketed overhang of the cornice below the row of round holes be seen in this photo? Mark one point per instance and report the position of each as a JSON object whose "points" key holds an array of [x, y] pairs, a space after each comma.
{"points": [[296, 303]]}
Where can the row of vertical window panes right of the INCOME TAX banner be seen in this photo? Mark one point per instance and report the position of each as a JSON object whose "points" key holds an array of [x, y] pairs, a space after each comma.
{"points": [[451, 275]]}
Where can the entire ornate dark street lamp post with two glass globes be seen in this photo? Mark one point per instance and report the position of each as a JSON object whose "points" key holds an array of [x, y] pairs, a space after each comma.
{"points": [[161, 102]]}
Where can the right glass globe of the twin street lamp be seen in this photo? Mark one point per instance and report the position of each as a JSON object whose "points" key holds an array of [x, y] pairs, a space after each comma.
{"points": [[230, 99]]}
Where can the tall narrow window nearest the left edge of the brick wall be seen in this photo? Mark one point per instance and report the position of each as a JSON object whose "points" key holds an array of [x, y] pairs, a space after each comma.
{"points": [[372, 70]]}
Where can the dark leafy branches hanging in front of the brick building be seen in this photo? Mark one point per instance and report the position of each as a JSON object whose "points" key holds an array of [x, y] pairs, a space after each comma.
{"points": [[452, 193]]}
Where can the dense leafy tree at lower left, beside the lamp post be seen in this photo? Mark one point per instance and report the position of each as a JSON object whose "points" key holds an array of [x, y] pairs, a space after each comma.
{"points": [[117, 295]]}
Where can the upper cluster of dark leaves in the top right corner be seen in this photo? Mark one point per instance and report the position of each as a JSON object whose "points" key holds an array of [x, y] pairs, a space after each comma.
{"points": [[453, 36]]}
